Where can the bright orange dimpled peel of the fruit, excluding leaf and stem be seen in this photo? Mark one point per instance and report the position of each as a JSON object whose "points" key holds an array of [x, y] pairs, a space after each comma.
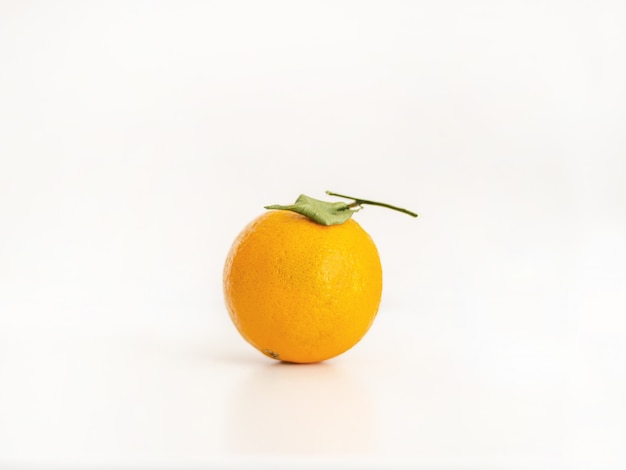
{"points": [[299, 291]]}
